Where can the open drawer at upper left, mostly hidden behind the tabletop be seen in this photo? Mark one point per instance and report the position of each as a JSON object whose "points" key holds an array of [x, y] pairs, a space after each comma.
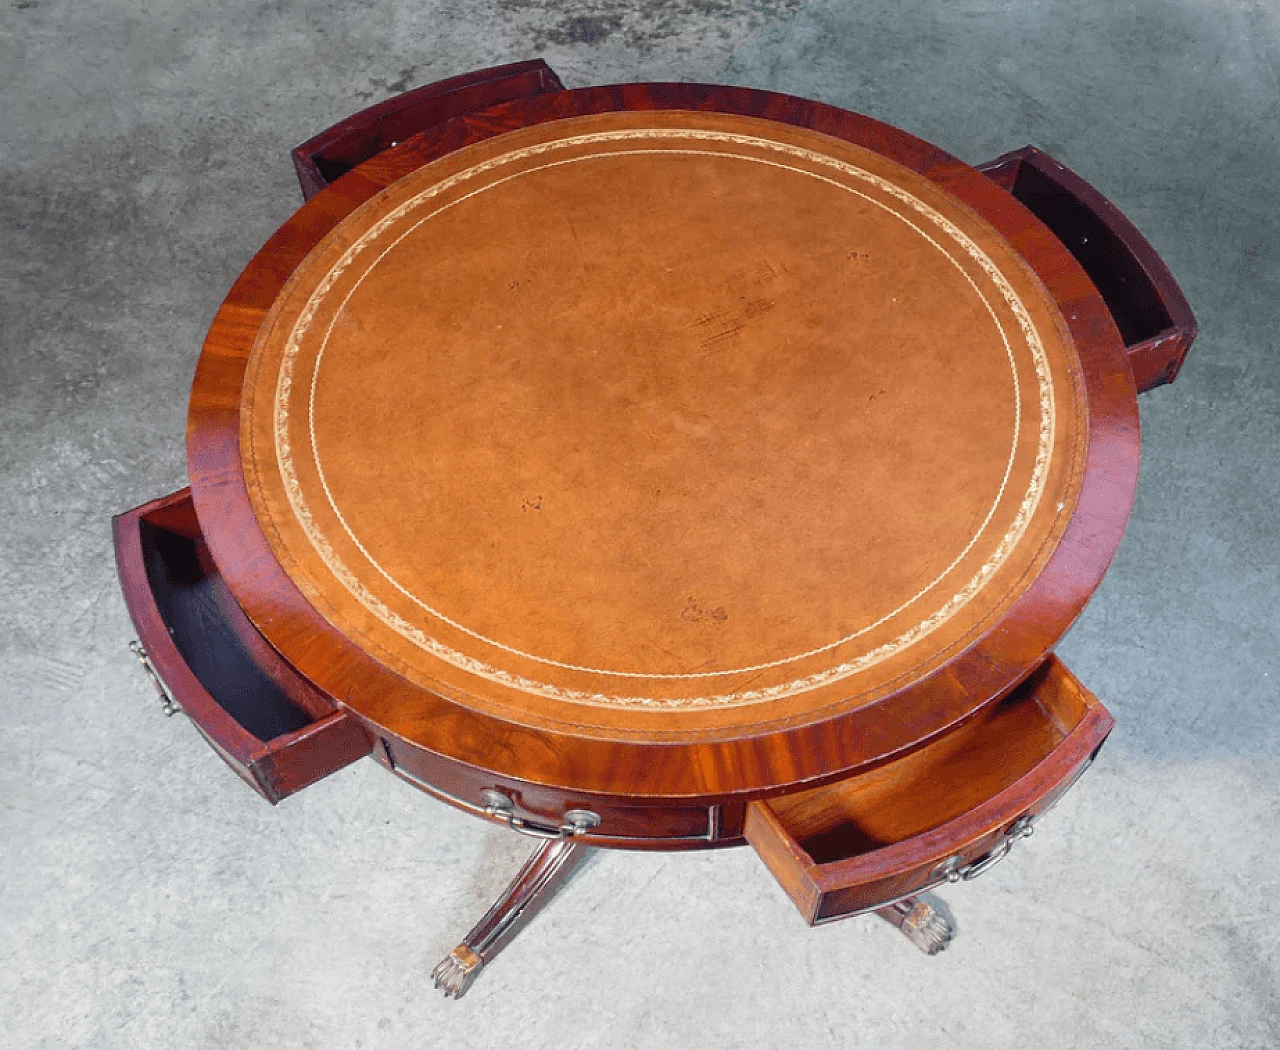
{"points": [[330, 156]]}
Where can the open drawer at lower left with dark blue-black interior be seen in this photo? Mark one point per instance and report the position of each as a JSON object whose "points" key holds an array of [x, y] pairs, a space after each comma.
{"points": [[271, 725]]}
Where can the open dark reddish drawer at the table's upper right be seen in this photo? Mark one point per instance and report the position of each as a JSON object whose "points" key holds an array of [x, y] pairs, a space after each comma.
{"points": [[1149, 307]]}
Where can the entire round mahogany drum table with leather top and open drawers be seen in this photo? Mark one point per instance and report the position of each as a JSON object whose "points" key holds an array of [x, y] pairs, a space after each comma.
{"points": [[664, 467]]}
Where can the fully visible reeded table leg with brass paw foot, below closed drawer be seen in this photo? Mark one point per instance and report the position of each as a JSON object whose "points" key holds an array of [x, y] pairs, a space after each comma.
{"points": [[532, 888]]}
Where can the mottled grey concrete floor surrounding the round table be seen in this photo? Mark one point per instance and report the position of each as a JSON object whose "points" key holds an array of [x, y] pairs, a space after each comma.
{"points": [[149, 901]]}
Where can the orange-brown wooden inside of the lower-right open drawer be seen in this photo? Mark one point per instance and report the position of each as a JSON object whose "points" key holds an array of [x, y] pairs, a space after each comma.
{"points": [[938, 783]]}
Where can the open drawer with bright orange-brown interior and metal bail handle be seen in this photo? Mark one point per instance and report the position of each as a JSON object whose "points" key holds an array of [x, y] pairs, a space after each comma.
{"points": [[945, 812]]}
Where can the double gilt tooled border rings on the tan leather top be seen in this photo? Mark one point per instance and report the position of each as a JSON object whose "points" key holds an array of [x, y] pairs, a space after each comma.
{"points": [[413, 633]]}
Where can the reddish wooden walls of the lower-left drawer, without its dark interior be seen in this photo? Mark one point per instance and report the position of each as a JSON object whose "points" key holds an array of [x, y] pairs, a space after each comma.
{"points": [[276, 768]]}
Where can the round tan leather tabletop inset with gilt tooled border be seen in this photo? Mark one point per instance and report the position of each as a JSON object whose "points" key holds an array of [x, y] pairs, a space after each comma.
{"points": [[666, 421]]}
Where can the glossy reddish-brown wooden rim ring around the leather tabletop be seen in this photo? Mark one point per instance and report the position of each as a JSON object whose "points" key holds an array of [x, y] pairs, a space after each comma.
{"points": [[643, 768]]}
